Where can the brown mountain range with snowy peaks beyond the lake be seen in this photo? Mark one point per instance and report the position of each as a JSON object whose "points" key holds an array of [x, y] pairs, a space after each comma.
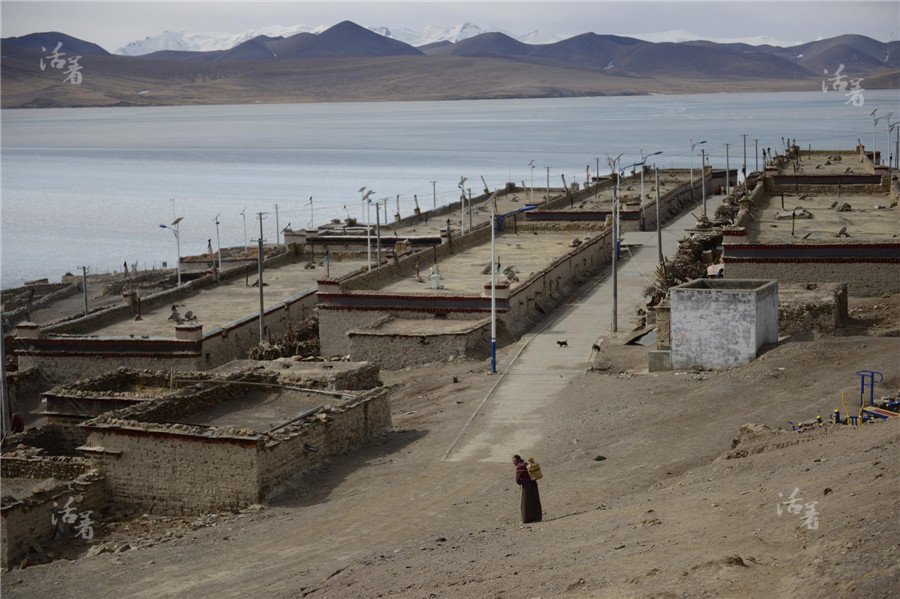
{"points": [[348, 62]]}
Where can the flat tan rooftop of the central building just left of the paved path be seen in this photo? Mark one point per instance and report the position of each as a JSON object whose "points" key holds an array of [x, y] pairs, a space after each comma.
{"points": [[528, 252]]}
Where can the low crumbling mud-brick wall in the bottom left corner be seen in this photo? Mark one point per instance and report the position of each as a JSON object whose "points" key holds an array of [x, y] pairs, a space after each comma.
{"points": [[29, 521]]}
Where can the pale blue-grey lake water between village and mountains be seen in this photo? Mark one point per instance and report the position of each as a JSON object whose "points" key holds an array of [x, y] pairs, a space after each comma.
{"points": [[90, 186]]}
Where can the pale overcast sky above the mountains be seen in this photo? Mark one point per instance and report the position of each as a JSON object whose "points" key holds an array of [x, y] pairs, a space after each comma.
{"points": [[114, 24]]}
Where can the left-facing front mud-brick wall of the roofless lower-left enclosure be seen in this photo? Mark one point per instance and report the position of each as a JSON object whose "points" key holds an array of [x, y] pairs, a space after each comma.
{"points": [[177, 474]]}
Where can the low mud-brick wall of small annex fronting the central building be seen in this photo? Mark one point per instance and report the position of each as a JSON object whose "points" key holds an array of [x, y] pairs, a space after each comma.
{"points": [[393, 351]]}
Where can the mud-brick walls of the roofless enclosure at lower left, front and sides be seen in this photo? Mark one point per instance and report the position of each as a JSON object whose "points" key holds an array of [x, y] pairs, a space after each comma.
{"points": [[211, 469]]}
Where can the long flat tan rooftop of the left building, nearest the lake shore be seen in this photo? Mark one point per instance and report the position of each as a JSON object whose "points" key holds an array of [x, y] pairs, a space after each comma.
{"points": [[234, 299]]}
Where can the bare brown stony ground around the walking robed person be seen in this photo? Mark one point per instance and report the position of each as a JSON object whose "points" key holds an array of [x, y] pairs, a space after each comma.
{"points": [[655, 485]]}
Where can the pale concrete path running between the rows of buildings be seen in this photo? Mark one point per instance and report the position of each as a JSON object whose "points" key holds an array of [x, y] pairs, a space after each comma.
{"points": [[508, 421]]}
